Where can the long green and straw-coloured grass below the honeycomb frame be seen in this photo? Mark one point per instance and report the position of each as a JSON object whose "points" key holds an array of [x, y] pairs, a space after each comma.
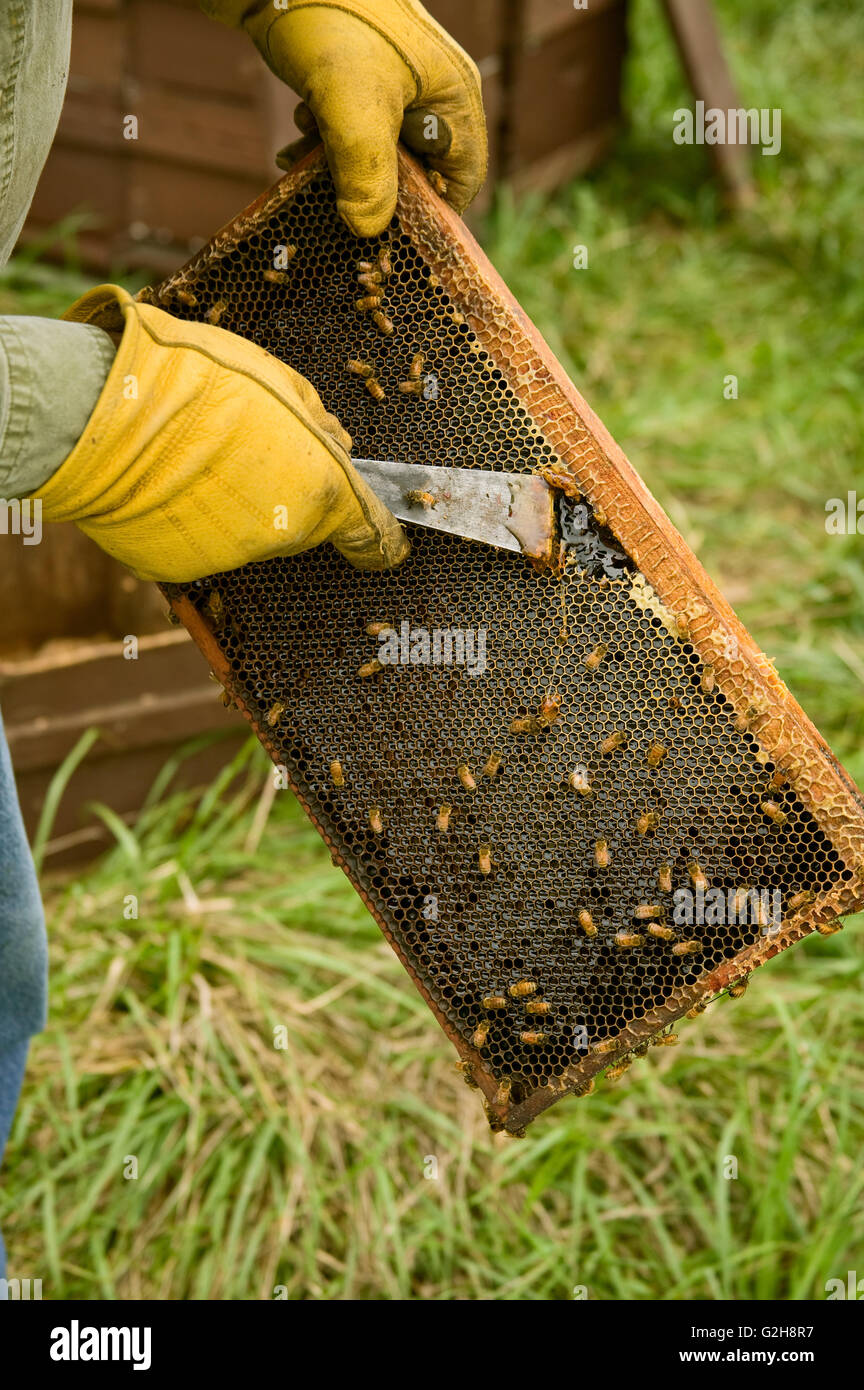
{"points": [[304, 1166]]}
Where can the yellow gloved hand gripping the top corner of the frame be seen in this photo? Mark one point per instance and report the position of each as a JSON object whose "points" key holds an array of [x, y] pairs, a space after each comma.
{"points": [[369, 70]]}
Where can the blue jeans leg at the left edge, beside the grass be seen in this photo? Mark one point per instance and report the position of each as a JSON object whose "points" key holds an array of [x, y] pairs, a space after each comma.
{"points": [[23, 951]]}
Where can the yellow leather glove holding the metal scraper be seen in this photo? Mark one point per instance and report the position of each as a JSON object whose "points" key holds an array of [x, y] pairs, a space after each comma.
{"points": [[206, 452]]}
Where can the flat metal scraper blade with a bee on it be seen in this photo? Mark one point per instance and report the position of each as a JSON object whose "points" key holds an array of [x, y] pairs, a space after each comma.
{"points": [[510, 511]]}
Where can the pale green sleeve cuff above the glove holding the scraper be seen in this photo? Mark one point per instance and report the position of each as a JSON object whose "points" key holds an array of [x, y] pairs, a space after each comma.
{"points": [[52, 375]]}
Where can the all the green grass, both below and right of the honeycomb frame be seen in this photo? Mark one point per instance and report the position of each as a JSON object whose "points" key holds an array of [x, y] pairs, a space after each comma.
{"points": [[304, 1167]]}
